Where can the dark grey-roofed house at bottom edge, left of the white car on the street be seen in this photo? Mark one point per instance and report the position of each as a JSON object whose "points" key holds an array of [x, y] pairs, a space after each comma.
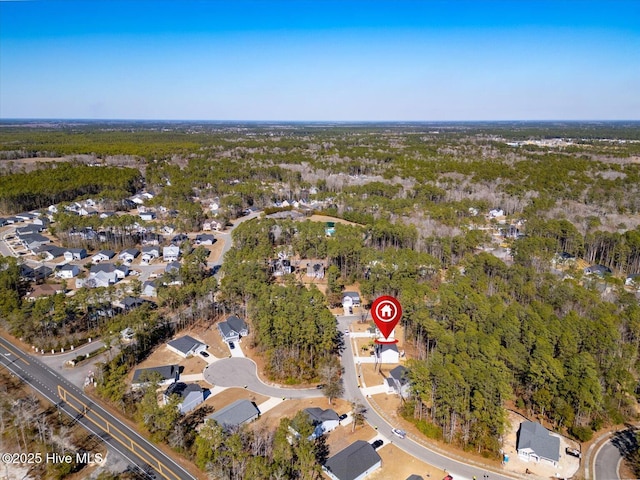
{"points": [[354, 462]]}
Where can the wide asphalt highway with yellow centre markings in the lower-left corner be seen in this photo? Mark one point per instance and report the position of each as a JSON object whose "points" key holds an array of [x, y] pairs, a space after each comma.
{"points": [[91, 416]]}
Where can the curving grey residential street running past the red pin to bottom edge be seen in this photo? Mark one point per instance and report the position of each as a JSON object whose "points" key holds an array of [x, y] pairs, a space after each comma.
{"points": [[457, 469]]}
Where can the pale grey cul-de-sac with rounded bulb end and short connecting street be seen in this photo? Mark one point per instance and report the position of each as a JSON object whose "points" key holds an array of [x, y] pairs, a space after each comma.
{"points": [[238, 372]]}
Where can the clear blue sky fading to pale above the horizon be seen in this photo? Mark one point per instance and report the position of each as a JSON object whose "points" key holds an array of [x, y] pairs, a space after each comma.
{"points": [[404, 60]]}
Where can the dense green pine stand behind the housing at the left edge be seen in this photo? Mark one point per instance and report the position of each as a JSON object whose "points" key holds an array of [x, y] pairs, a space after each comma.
{"points": [[64, 182]]}
